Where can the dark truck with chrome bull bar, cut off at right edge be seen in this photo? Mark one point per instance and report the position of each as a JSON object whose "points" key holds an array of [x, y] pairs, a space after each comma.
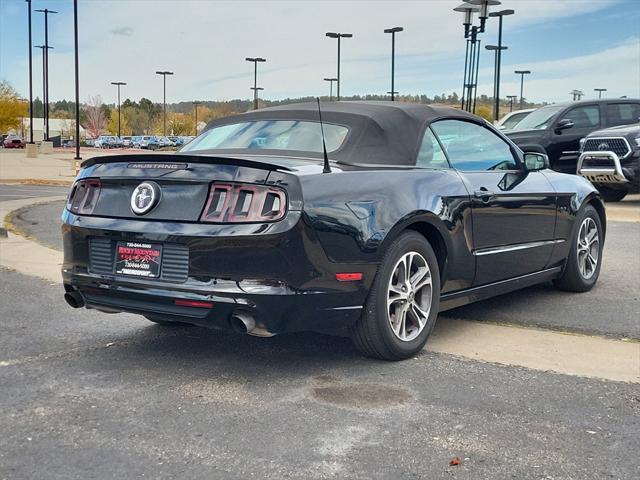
{"points": [[610, 159]]}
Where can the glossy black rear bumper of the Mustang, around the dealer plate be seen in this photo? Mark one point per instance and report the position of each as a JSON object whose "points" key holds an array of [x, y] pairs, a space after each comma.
{"points": [[282, 278]]}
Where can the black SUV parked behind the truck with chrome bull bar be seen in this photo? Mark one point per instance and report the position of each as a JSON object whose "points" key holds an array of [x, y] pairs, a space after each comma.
{"points": [[556, 129]]}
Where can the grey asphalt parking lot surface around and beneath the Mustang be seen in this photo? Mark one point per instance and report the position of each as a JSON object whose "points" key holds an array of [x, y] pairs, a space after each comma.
{"points": [[123, 398]]}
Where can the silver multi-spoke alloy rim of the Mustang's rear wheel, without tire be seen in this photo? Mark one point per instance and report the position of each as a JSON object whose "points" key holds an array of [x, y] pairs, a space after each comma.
{"points": [[409, 296]]}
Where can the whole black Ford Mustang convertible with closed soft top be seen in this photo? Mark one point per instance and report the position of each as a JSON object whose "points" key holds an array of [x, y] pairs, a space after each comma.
{"points": [[368, 219]]}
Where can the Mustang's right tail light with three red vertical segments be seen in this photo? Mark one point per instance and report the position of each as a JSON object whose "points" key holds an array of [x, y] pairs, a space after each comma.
{"points": [[243, 203]]}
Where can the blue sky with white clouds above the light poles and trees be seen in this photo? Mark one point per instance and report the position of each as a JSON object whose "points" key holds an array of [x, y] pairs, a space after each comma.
{"points": [[567, 44]]}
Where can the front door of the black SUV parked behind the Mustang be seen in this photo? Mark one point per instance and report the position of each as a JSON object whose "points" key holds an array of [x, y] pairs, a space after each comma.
{"points": [[565, 143]]}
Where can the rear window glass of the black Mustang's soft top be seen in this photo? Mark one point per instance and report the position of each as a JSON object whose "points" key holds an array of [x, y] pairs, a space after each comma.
{"points": [[295, 135]]}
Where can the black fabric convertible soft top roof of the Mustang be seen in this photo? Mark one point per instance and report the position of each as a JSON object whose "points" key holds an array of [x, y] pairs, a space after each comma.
{"points": [[379, 132]]}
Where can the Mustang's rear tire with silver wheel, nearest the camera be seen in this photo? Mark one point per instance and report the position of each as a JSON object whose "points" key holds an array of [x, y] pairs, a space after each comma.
{"points": [[377, 333]]}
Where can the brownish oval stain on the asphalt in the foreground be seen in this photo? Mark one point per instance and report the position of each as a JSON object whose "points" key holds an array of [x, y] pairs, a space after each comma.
{"points": [[360, 395]]}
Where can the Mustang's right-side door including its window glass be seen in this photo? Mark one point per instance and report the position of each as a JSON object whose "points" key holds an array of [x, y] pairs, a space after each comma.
{"points": [[513, 210]]}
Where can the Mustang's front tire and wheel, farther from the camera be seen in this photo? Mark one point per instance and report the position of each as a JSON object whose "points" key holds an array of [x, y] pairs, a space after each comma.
{"points": [[580, 275]]}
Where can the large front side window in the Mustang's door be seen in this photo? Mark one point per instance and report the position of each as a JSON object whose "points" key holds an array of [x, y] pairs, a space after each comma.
{"points": [[472, 147]]}
